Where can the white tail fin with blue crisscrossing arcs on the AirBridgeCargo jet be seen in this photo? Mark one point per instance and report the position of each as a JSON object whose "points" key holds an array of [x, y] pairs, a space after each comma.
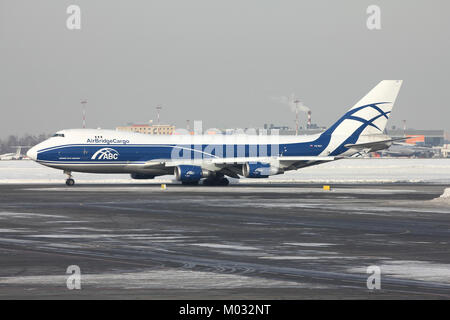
{"points": [[368, 117]]}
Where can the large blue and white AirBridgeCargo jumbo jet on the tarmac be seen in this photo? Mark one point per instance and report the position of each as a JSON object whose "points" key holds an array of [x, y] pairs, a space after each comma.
{"points": [[213, 158]]}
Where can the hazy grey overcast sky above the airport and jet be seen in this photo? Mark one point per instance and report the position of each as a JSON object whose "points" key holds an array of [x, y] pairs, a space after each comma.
{"points": [[217, 61]]}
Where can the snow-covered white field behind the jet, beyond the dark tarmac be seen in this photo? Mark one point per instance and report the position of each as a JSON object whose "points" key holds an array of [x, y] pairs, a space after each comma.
{"points": [[346, 171]]}
